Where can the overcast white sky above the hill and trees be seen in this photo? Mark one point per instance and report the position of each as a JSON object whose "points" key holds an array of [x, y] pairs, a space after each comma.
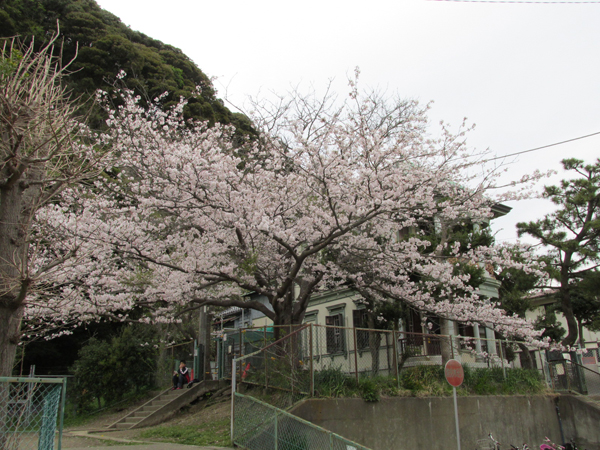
{"points": [[526, 74]]}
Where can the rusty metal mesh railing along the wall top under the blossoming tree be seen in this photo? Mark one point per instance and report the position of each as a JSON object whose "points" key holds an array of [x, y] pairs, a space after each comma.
{"points": [[303, 350]]}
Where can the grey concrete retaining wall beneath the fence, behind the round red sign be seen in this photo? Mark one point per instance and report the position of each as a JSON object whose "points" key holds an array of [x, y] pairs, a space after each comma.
{"points": [[428, 423]]}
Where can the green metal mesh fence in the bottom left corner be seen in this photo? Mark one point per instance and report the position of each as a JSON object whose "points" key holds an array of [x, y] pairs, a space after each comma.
{"points": [[31, 411]]}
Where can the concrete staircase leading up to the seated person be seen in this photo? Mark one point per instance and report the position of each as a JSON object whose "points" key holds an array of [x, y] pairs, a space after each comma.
{"points": [[165, 405]]}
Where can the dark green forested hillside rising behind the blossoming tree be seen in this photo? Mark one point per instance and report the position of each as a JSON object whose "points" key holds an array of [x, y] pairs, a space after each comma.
{"points": [[105, 46]]}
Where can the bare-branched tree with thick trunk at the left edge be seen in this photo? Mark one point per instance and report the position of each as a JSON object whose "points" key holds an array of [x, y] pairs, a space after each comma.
{"points": [[43, 150]]}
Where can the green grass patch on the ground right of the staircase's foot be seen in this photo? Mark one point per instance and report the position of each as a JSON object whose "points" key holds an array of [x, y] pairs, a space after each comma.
{"points": [[211, 433]]}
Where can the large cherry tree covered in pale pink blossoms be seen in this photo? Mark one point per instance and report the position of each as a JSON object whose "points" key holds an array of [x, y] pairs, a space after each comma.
{"points": [[188, 219]]}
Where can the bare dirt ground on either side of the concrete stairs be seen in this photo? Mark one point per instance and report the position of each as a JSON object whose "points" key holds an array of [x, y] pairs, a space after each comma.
{"points": [[95, 434]]}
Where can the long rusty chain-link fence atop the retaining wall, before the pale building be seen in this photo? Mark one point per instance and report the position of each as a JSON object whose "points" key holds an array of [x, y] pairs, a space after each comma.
{"points": [[309, 360]]}
